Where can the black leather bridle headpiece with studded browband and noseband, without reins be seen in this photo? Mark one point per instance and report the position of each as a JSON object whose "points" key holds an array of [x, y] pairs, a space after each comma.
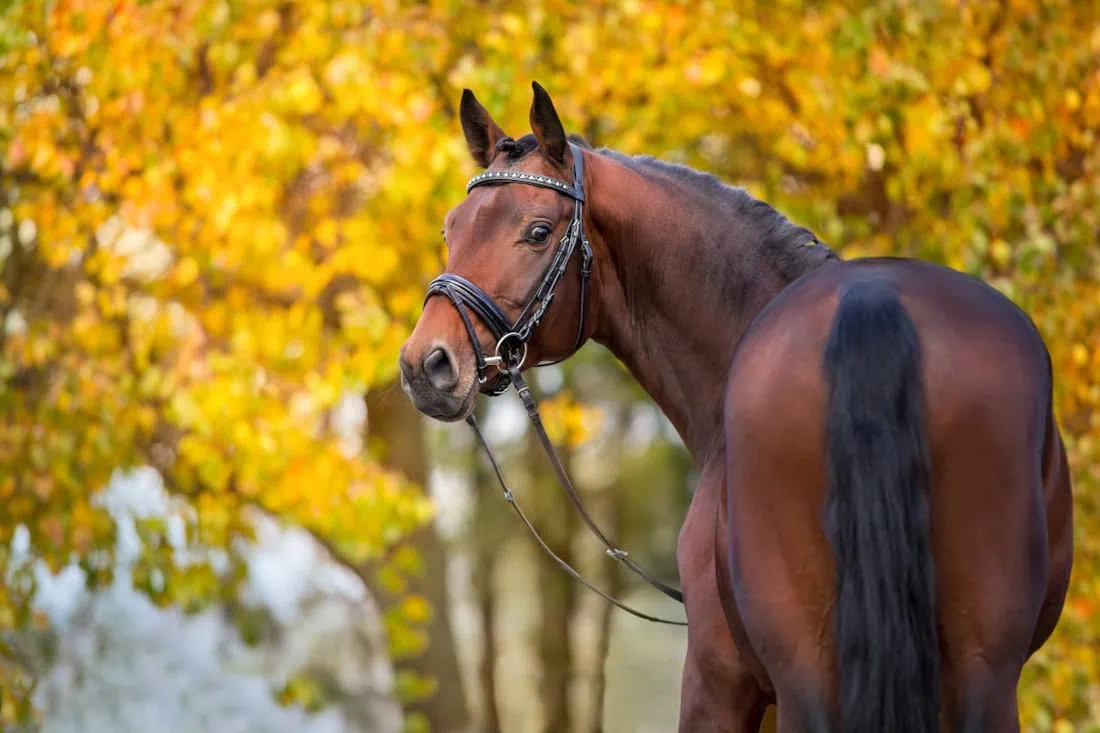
{"points": [[512, 337]]}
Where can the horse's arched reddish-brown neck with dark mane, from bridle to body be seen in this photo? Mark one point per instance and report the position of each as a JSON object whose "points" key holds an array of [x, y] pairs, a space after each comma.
{"points": [[679, 279]]}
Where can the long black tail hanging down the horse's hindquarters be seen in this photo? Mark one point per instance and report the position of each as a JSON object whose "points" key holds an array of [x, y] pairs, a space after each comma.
{"points": [[877, 517]]}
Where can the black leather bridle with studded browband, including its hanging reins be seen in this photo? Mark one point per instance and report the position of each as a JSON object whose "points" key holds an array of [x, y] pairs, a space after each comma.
{"points": [[511, 353]]}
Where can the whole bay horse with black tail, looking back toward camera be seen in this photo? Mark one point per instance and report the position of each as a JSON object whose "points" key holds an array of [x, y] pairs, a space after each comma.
{"points": [[882, 534]]}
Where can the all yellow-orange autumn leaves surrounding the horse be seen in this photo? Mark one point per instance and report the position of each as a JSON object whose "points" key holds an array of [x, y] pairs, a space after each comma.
{"points": [[221, 216]]}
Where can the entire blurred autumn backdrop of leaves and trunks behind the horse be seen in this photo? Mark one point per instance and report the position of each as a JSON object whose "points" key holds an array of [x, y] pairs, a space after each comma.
{"points": [[217, 222]]}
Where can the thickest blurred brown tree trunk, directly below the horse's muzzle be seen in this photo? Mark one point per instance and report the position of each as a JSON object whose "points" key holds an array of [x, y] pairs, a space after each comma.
{"points": [[397, 436]]}
